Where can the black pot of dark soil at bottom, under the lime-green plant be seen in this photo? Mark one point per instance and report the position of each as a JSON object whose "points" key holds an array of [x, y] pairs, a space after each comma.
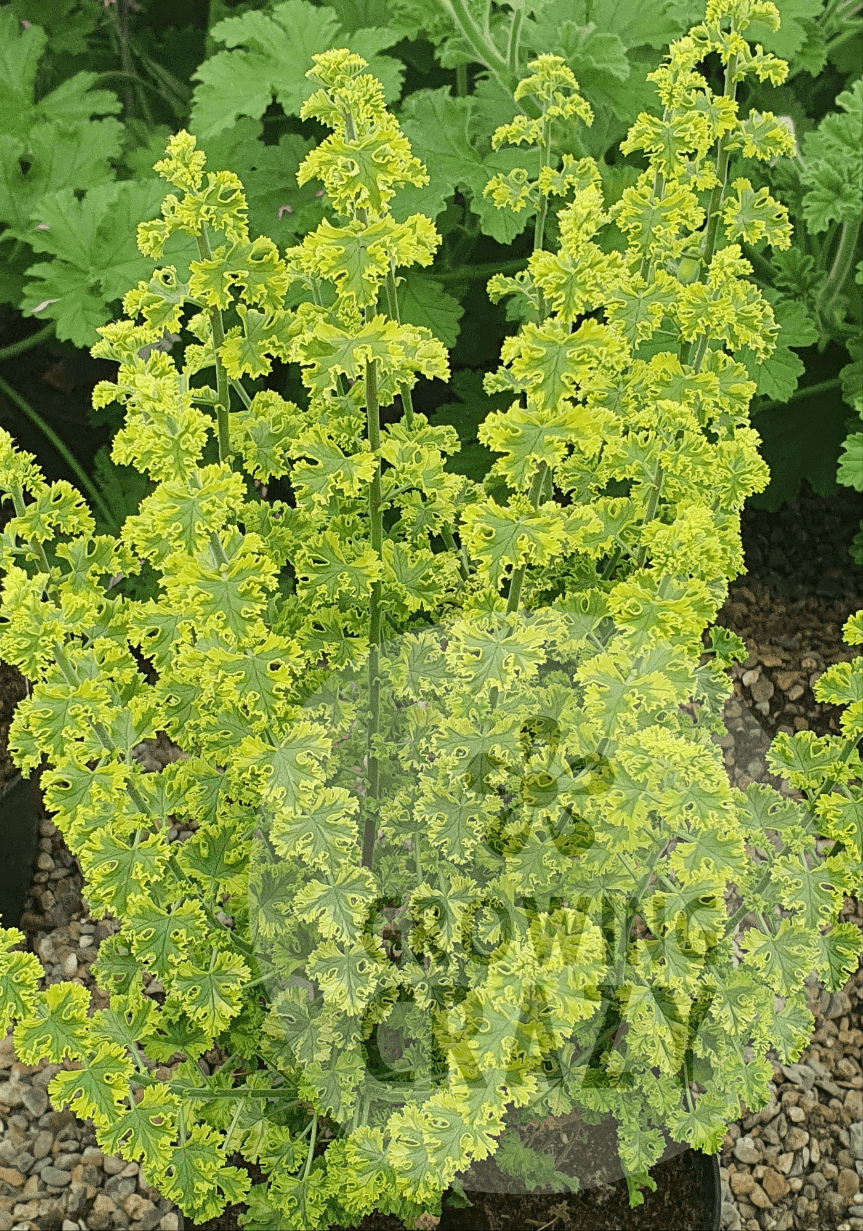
{"points": [[688, 1197]]}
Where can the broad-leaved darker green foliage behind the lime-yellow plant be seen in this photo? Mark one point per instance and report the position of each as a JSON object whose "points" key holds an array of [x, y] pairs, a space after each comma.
{"points": [[90, 92]]}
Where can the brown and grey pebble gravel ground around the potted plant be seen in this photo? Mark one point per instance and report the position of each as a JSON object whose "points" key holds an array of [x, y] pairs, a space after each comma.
{"points": [[796, 1165]]}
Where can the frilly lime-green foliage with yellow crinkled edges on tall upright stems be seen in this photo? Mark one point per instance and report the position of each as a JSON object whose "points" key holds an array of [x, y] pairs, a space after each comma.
{"points": [[460, 855]]}
